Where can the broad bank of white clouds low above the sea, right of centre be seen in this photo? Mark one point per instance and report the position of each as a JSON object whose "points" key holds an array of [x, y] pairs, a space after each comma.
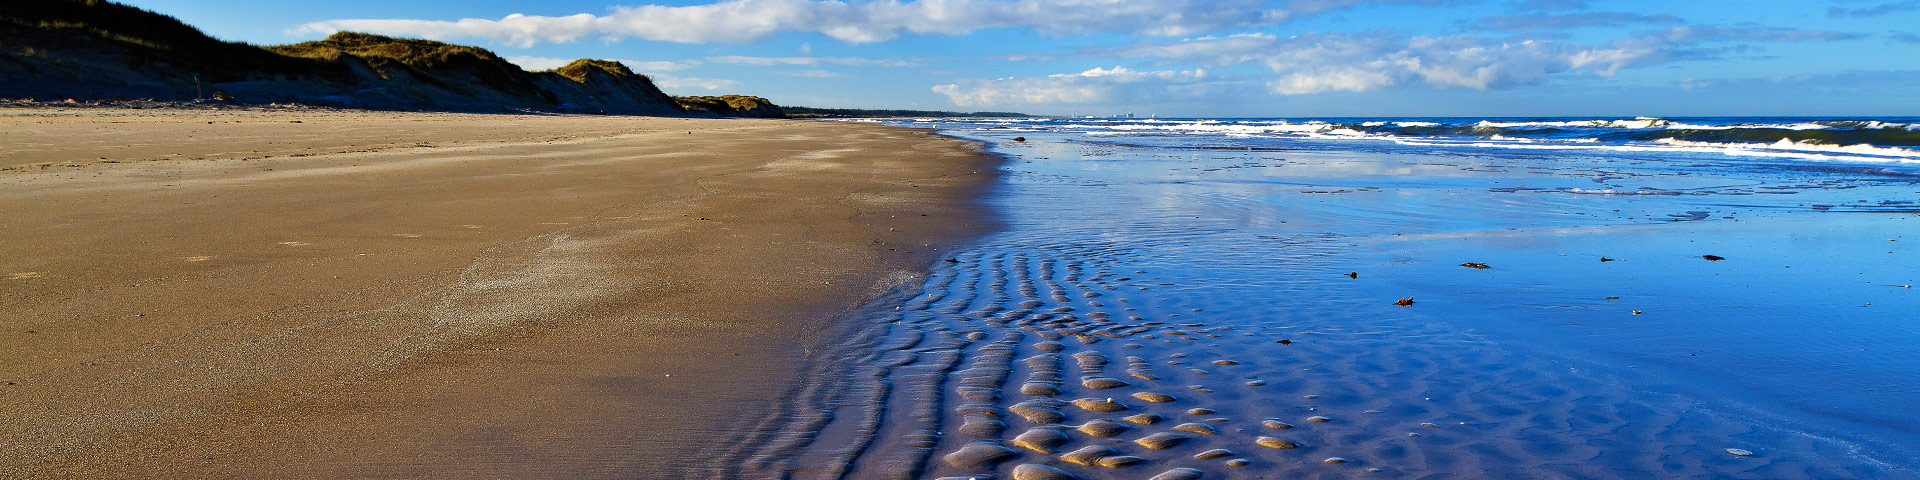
{"points": [[1364, 62]]}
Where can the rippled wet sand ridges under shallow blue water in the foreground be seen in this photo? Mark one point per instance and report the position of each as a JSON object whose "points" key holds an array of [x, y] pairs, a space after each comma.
{"points": [[967, 379]]}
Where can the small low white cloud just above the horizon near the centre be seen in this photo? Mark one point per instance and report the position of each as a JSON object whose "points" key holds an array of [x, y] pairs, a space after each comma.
{"points": [[1088, 87]]}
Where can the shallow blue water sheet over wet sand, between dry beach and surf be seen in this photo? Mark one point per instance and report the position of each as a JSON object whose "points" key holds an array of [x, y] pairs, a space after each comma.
{"points": [[1257, 277]]}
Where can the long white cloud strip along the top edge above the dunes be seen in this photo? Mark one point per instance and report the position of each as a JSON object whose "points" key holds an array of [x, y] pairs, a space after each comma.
{"points": [[855, 22]]}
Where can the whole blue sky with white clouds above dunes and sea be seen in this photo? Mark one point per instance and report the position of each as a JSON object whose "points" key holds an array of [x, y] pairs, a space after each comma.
{"points": [[1186, 59]]}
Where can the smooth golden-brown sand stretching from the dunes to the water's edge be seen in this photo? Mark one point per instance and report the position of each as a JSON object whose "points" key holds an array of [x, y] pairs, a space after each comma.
{"points": [[341, 295]]}
